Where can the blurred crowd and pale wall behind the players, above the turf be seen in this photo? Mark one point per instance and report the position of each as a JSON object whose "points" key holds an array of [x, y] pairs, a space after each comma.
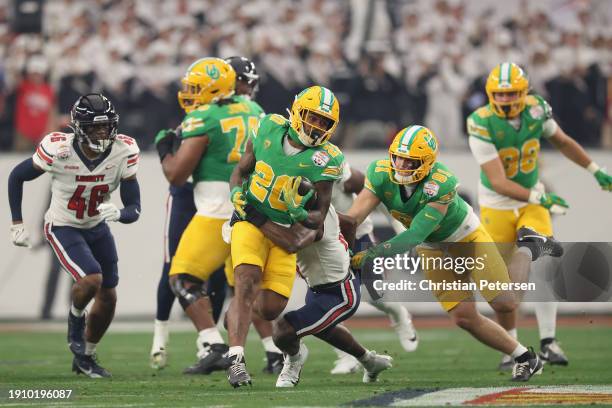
{"points": [[391, 63]]}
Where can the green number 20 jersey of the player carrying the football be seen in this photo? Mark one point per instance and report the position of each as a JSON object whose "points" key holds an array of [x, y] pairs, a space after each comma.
{"points": [[273, 168]]}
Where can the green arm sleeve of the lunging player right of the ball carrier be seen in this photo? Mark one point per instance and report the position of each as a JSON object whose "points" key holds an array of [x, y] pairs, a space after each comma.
{"points": [[421, 227]]}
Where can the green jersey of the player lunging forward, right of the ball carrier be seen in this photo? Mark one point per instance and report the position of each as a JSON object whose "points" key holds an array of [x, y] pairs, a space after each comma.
{"points": [[439, 186]]}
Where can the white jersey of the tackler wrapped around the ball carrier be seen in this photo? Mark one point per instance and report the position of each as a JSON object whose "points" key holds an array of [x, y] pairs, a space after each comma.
{"points": [[326, 260]]}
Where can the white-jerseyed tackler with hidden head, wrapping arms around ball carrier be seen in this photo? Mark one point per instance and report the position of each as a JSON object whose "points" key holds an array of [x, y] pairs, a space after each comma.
{"points": [[333, 295]]}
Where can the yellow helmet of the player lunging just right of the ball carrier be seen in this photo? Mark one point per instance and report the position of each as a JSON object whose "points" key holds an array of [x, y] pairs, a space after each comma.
{"points": [[412, 154]]}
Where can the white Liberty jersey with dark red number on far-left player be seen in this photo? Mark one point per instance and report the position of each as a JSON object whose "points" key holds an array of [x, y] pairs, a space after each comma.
{"points": [[79, 185]]}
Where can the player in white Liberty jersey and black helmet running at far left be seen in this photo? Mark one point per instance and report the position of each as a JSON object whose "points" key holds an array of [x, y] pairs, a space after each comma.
{"points": [[85, 167]]}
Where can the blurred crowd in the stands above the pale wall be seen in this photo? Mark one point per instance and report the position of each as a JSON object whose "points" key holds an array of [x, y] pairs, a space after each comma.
{"points": [[390, 62]]}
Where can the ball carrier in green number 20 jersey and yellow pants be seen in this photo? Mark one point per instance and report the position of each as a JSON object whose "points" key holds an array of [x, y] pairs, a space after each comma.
{"points": [[282, 150]]}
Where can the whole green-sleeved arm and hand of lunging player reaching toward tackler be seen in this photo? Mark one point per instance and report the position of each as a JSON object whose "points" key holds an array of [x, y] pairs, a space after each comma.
{"points": [[423, 224]]}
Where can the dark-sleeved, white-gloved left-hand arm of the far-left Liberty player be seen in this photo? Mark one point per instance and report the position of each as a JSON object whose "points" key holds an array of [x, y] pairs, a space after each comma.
{"points": [[25, 171]]}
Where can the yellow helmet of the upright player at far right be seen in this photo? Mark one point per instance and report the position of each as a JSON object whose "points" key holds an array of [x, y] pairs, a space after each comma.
{"points": [[504, 78]]}
